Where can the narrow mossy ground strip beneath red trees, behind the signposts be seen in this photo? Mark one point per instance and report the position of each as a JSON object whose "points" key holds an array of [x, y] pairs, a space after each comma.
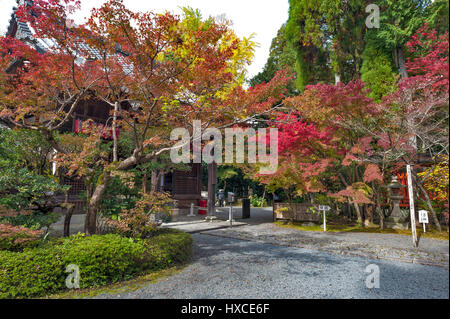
{"points": [[333, 226]]}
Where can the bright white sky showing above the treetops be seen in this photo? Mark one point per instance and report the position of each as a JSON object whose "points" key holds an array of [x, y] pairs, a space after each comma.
{"points": [[261, 17]]}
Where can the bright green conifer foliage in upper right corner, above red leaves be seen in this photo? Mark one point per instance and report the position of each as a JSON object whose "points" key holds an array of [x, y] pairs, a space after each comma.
{"points": [[384, 52]]}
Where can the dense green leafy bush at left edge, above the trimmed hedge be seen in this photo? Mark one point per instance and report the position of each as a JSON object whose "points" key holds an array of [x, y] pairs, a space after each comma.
{"points": [[27, 186]]}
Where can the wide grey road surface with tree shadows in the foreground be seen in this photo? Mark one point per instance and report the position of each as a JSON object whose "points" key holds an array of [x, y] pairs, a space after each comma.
{"points": [[233, 268]]}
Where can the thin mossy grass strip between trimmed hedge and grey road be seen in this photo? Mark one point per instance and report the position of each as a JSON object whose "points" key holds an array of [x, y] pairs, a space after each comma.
{"points": [[120, 287]]}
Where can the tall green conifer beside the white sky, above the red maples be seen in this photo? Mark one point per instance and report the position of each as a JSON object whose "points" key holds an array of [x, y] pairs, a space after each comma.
{"points": [[328, 36]]}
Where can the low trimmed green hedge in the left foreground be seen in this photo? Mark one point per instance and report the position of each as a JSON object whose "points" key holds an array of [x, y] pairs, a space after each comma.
{"points": [[102, 259]]}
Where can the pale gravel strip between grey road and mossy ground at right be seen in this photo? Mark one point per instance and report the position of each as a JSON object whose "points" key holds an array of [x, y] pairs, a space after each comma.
{"points": [[379, 246]]}
